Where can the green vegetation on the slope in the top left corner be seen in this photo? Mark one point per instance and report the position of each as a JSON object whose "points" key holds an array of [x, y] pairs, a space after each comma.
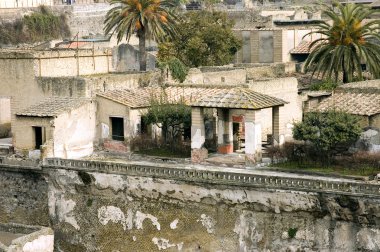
{"points": [[39, 26]]}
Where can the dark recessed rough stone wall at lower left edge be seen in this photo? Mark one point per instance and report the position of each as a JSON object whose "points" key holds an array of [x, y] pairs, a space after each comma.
{"points": [[23, 197]]}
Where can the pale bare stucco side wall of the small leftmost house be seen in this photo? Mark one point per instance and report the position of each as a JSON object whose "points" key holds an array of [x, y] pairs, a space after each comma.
{"points": [[74, 132]]}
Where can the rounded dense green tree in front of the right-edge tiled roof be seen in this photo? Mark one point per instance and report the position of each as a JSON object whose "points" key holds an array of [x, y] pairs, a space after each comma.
{"points": [[329, 132]]}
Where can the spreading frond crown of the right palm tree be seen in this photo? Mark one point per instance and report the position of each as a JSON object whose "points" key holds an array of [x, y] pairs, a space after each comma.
{"points": [[347, 41]]}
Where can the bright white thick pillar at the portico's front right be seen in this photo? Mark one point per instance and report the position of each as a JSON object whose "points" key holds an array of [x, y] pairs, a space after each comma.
{"points": [[252, 137]]}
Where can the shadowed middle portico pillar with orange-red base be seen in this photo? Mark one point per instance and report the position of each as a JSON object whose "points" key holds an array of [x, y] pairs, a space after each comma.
{"points": [[225, 138]]}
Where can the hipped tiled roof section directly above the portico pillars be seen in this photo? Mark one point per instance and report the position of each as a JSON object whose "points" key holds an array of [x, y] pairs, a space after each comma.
{"points": [[239, 98]]}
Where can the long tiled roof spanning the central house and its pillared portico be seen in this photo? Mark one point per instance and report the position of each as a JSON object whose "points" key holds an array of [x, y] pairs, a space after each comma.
{"points": [[195, 96]]}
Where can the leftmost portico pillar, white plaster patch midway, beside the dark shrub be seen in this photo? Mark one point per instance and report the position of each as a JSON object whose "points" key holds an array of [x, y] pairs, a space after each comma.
{"points": [[198, 153]]}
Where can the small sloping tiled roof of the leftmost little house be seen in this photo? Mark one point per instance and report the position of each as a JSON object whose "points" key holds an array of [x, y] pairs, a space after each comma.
{"points": [[53, 106]]}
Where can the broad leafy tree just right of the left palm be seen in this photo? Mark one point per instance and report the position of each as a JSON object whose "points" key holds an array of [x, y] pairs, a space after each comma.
{"points": [[203, 39]]}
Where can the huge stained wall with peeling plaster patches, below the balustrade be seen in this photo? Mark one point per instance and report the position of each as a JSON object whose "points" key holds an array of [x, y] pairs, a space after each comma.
{"points": [[111, 212]]}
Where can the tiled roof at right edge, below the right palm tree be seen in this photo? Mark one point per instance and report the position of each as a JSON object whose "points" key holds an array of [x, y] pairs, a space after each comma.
{"points": [[356, 103]]}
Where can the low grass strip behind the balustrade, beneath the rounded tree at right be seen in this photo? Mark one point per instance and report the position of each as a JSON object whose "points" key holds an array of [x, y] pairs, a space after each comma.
{"points": [[333, 169]]}
